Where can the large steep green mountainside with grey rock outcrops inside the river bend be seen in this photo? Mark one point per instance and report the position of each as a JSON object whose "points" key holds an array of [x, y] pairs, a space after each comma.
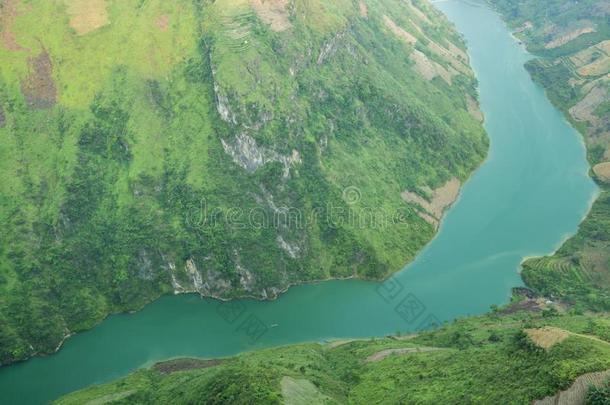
{"points": [[228, 147]]}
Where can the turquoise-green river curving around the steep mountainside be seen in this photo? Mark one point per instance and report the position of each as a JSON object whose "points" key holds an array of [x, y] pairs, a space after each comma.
{"points": [[527, 197]]}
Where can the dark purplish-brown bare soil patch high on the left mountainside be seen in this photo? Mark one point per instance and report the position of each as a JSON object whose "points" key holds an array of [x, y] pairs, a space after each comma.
{"points": [[38, 87]]}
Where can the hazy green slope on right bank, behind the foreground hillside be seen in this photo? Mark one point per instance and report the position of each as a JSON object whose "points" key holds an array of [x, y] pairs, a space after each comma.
{"points": [[580, 271]]}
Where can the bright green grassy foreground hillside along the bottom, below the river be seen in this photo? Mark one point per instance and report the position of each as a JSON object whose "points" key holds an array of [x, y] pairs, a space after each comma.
{"points": [[482, 360]]}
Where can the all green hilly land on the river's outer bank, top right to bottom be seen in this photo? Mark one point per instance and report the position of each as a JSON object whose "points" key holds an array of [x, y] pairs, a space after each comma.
{"points": [[531, 350]]}
